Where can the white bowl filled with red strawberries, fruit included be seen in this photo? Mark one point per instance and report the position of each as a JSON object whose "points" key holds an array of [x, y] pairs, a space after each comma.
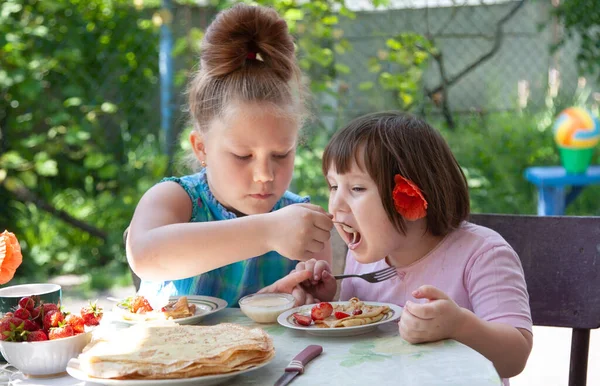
{"points": [[40, 338]]}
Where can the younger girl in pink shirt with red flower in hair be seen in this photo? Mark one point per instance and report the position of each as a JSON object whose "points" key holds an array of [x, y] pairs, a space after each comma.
{"points": [[399, 198]]}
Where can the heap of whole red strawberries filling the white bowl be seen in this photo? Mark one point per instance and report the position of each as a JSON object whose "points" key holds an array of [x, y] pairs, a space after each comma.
{"points": [[34, 321]]}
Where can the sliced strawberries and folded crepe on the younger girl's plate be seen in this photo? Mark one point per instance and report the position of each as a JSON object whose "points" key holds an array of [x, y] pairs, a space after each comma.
{"points": [[346, 314]]}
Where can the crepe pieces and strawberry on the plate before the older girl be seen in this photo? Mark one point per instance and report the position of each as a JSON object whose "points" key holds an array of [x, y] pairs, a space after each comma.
{"points": [[138, 308]]}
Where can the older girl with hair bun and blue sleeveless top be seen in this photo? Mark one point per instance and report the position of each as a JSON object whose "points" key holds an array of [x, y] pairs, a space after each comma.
{"points": [[233, 228]]}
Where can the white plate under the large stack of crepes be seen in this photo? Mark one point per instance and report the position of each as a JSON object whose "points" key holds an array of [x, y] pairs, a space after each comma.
{"points": [[205, 380]]}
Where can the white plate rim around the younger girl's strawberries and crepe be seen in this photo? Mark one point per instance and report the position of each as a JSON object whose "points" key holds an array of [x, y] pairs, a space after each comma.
{"points": [[287, 320]]}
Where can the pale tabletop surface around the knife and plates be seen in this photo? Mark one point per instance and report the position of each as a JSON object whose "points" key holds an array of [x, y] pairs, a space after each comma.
{"points": [[380, 357]]}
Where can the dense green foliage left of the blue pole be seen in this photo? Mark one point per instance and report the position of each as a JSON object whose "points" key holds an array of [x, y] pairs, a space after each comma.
{"points": [[78, 137]]}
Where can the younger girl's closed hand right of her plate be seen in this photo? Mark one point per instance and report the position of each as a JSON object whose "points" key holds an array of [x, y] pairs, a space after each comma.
{"points": [[439, 318]]}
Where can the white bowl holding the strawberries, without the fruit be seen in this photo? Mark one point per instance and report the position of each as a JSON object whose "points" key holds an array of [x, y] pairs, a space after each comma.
{"points": [[45, 358]]}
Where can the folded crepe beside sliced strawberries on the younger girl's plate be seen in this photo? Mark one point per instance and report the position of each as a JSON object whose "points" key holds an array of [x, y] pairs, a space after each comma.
{"points": [[368, 314]]}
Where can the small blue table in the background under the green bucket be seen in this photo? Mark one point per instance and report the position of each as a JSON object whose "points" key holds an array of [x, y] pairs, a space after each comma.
{"points": [[551, 182]]}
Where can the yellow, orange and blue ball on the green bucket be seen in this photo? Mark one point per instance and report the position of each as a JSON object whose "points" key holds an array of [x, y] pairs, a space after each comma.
{"points": [[576, 128]]}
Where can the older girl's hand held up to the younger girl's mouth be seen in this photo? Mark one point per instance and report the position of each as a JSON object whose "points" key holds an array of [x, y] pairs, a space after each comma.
{"points": [[299, 231]]}
